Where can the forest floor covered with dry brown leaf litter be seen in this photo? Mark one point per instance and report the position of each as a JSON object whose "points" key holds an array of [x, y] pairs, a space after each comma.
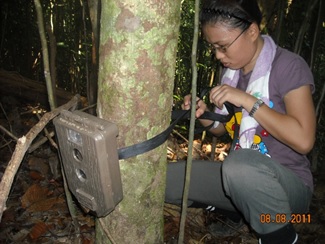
{"points": [[37, 212]]}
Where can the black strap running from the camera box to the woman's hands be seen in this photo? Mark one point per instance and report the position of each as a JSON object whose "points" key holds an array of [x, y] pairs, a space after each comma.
{"points": [[177, 115]]}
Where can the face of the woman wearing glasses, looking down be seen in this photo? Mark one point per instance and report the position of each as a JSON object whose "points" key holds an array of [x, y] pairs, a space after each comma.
{"points": [[234, 48]]}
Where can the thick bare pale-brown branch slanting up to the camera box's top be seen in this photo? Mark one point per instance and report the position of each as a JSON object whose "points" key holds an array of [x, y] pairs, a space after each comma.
{"points": [[22, 146]]}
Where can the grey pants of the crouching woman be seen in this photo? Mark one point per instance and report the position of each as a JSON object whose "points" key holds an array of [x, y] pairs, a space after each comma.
{"points": [[247, 182]]}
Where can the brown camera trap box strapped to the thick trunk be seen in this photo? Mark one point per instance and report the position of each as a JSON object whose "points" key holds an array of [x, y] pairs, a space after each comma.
{"points": [[89, 156]]}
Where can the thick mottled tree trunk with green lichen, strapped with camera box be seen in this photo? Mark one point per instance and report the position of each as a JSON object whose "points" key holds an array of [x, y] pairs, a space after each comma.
{"points": [[136, 75]]}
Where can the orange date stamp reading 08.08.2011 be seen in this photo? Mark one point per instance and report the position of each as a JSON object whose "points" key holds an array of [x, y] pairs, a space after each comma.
{"points": [[283, 218]]}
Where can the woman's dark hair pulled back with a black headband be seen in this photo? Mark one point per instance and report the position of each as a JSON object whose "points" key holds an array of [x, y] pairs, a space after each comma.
{"points": [[235, 13]]}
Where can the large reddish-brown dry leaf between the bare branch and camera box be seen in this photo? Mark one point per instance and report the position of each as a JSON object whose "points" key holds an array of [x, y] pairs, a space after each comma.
{"points": [[34, 194]]}
